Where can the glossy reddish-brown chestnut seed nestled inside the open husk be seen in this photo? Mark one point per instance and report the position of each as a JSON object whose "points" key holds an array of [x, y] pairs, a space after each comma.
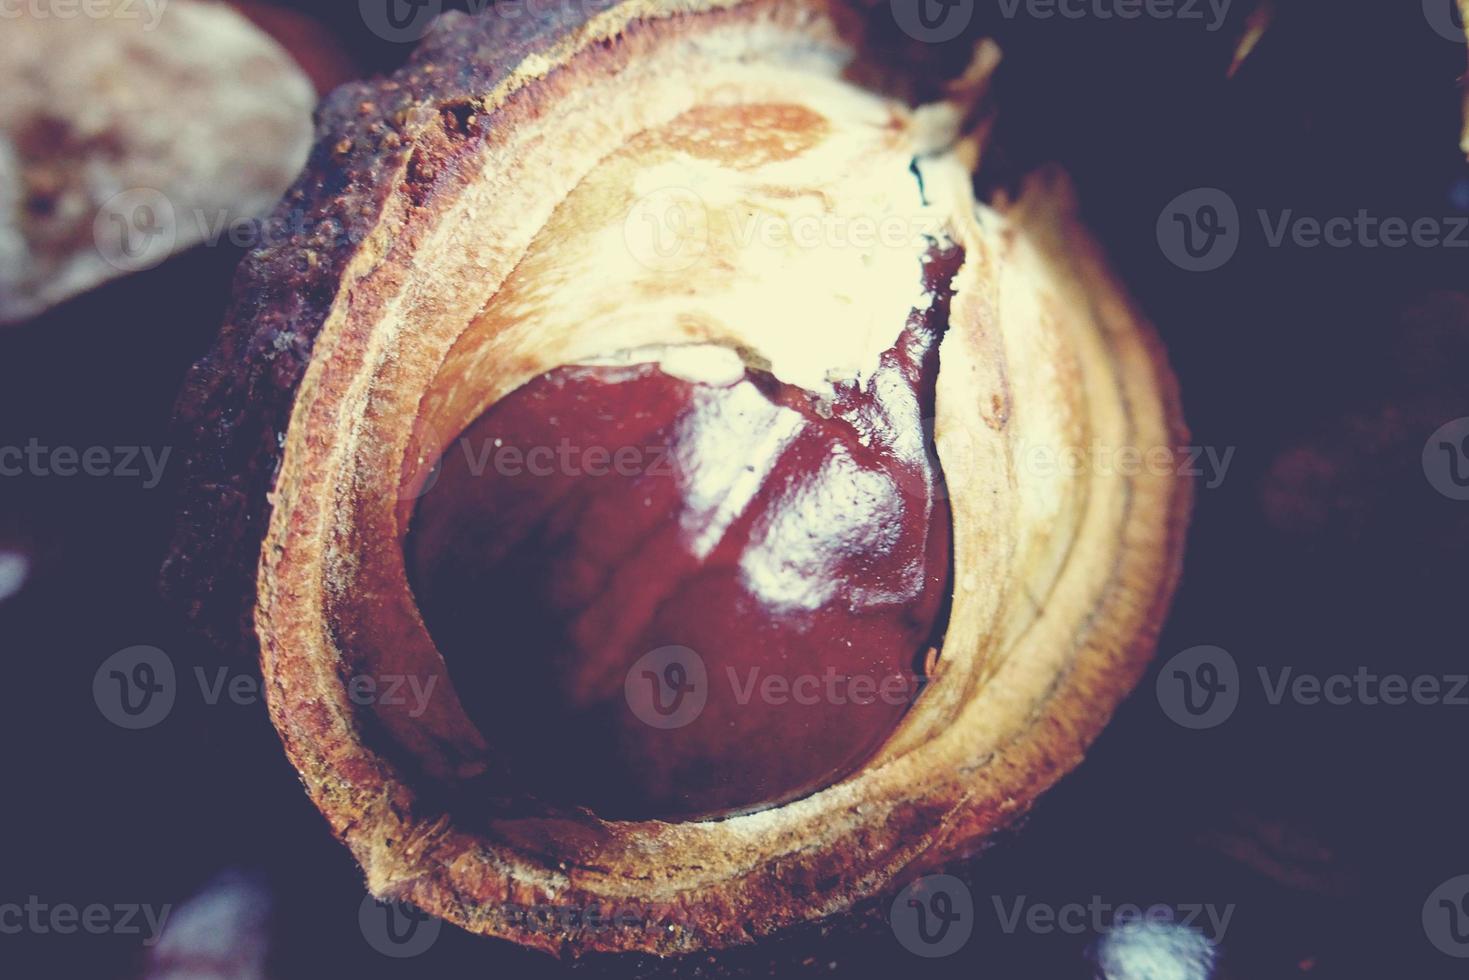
{"points": [[693, 594]]}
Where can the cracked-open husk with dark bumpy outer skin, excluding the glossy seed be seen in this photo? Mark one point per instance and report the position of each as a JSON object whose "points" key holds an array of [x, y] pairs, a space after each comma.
{"points": [[430, 286]]}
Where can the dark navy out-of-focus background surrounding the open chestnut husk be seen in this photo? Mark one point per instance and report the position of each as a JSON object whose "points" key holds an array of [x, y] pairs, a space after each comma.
{"points": [[1326, 549]]}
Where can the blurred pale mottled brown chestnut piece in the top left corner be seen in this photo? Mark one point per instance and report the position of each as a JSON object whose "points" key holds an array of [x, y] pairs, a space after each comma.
{"points": [[131, 133]]}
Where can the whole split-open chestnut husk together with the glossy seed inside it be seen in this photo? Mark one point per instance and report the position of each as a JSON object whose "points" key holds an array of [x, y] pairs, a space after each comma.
{"points": [[747, 234]]}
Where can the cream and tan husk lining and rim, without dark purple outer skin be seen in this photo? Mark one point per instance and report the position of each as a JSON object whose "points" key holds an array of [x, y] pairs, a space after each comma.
{"points": [[544, 259]]}
